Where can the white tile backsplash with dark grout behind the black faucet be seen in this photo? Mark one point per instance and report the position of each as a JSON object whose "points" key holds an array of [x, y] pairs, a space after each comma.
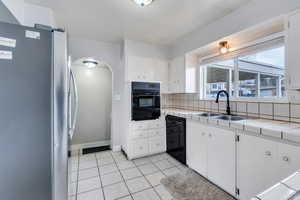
{"points": [[289, 112]]}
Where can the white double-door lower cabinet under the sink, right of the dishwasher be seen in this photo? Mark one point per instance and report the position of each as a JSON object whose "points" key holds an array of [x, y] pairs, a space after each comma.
{"points": [[211, 152]]}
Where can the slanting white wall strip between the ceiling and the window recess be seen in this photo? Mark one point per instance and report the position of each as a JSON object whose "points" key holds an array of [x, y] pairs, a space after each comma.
{"points": [[253, 13]]}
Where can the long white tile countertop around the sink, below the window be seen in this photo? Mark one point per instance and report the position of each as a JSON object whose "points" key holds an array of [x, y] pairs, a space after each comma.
{"points": [[270, 128]]}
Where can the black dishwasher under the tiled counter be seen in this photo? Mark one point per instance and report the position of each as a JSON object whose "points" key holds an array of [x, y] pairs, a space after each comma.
{"points": [[176, 137]]}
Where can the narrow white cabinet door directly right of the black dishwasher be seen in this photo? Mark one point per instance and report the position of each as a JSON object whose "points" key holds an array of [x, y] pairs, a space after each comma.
{"points": [[197, 147]]}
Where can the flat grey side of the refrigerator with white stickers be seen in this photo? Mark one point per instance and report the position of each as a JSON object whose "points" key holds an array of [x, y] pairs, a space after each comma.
{"points": [[25, 113]]}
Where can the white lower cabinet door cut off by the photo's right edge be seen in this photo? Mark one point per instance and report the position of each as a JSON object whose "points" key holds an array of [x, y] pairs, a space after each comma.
{"points": [[288, 158]]}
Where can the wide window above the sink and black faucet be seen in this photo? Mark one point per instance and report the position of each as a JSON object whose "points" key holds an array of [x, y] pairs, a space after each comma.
{"points": [[259, 75]]}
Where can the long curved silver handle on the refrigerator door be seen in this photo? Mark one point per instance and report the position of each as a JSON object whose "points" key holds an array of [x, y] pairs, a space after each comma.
{"points": [[73, 121]]}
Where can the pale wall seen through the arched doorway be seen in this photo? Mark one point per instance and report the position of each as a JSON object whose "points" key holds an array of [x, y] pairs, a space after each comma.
{"points": [[95, 99]]}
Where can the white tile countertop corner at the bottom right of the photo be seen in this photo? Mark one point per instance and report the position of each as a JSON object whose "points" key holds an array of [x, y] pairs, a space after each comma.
{"points": [[288, 189]]}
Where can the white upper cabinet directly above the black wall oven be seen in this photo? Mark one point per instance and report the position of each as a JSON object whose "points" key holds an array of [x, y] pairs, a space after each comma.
{"points": [[148, 70]]}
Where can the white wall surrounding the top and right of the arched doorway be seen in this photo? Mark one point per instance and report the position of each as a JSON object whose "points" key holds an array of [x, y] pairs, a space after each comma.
{"points": [[109, 53]]}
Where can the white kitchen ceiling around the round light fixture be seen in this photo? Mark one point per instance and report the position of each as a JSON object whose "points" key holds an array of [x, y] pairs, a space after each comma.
{"points": [[163, 22]]}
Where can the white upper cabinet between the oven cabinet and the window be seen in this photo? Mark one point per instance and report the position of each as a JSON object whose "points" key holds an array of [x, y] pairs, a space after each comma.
{"points": [[183, 74]]}
